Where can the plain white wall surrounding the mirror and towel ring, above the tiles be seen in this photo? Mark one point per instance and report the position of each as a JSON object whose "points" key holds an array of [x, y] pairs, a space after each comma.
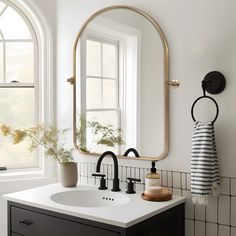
{"points": [[201, 36]]}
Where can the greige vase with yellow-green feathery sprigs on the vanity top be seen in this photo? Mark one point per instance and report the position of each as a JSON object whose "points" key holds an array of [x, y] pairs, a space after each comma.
{"points": [[47, 137]]}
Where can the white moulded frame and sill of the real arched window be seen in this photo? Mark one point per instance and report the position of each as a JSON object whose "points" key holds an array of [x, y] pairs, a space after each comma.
{"points": [[43, 86]]}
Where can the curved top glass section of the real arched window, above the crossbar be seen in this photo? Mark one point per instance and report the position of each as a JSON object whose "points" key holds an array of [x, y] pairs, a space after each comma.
{"points": [[13, 26]]}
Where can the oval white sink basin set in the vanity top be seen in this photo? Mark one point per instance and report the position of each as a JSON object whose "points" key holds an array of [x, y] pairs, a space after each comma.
{"points": [[90, 198]]}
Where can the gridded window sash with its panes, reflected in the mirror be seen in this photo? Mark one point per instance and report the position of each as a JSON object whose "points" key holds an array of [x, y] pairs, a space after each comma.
{"points": [[101, 102]]}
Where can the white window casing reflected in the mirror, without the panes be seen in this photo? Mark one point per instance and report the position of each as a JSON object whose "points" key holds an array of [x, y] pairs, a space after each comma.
{"points": [[129, 72]]}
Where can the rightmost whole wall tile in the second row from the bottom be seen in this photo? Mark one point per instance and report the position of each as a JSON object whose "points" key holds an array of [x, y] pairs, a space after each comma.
{"points": [[224, 210]]}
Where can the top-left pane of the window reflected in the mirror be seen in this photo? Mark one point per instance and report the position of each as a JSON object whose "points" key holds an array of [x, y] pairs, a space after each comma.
{"points": [[93, 58]]}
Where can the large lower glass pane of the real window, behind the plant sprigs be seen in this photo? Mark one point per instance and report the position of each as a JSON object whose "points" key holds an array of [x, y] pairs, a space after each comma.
{"points": [[17, 110]]}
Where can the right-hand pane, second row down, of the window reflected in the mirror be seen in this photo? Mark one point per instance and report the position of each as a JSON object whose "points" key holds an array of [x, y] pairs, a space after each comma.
{"points": [[109, 93]]}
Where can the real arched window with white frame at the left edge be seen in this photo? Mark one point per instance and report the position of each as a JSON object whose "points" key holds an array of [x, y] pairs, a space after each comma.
{"points": [[22, 76]]}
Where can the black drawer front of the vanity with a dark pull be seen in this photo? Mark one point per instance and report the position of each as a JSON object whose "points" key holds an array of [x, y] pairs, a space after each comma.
{"points": [[31, 223]]}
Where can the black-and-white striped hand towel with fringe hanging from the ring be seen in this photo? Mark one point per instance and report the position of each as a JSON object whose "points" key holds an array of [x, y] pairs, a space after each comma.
{"points": [[204, 164]]}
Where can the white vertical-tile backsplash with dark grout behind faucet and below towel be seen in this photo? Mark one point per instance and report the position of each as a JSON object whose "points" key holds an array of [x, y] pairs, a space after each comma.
{"points": [[218, 218]]}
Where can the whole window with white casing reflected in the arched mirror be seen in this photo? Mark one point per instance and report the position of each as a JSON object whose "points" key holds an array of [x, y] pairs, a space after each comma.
{"points": [[109, 54]]}
